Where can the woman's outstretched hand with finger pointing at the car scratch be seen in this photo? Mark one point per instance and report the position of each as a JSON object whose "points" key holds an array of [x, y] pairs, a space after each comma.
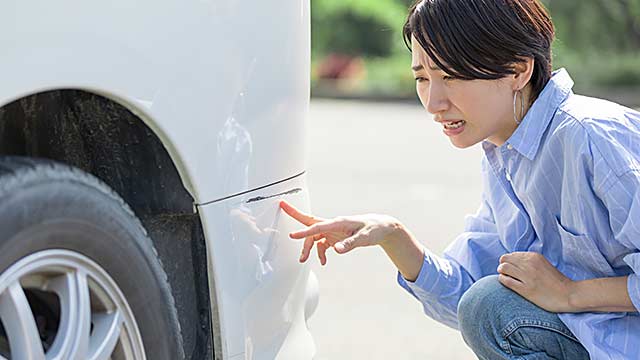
{"points": [[343, 234]]}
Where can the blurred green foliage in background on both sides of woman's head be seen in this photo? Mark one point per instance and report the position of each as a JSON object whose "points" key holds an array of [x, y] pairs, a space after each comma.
{"points": [[598, 41]]}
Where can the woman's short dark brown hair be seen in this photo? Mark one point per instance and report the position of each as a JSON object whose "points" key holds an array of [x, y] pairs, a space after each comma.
{"points": [[483, 39]]}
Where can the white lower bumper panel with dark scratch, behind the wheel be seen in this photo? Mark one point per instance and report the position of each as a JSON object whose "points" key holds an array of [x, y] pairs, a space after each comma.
{"points": [[261, 287]]}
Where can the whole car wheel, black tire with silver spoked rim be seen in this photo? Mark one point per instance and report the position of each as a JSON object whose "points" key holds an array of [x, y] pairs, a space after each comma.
{"points": [[53, 215]]}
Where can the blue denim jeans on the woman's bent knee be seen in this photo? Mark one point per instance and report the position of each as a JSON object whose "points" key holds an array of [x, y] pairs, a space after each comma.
{"points": [[497, 323]]}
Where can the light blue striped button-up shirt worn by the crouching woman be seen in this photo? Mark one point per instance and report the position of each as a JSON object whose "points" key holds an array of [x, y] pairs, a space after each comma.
{"points": [[566, 184]]}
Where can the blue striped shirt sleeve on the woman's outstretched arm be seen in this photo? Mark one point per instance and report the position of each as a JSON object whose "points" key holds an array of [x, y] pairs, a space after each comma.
{"points": [[443, 280]]}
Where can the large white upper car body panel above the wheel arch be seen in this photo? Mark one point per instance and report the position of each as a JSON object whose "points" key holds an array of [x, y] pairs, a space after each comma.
{"points": [[234, 73]]}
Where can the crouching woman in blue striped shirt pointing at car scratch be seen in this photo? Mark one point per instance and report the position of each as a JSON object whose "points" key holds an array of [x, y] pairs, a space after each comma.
{"points": [[548, 266]]}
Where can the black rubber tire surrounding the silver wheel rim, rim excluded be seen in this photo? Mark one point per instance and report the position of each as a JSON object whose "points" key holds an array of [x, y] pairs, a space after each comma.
{"points": [[47, 205]]}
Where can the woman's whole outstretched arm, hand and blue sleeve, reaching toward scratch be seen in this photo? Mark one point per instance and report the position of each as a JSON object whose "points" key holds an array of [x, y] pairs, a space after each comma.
{"points": [[437, 282]]}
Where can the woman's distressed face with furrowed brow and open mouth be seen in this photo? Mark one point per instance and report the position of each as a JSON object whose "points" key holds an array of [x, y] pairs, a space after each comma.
{"points": [[470, 111]]}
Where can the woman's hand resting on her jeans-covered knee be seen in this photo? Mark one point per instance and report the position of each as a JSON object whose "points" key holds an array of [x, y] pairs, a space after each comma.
{"points": [[534, 278]]}
